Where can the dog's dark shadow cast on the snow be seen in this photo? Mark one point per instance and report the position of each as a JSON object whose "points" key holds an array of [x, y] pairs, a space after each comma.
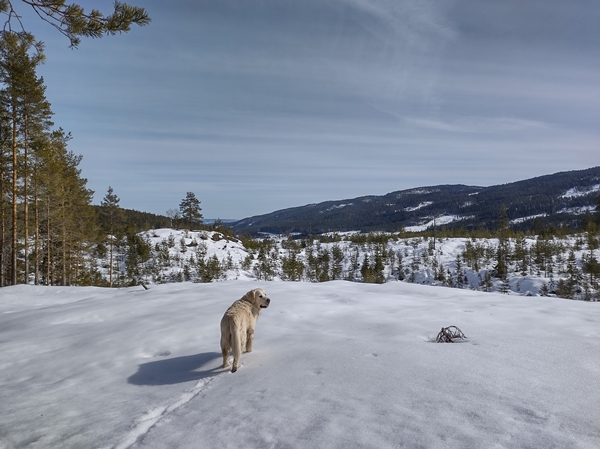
{"points": [[176, 370]]}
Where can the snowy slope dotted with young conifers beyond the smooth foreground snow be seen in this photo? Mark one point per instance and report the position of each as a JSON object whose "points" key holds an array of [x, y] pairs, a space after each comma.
{"points": [[204, 256]]}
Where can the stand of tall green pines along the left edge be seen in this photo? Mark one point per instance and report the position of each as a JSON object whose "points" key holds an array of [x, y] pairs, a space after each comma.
{"points": [[45, 213]]}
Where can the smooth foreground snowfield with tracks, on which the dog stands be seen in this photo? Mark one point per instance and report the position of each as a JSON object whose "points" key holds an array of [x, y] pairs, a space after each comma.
{"points": [[336, 365]]}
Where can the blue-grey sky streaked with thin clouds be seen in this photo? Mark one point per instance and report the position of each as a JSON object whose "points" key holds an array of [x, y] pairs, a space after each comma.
{"points": [[259, 105]]}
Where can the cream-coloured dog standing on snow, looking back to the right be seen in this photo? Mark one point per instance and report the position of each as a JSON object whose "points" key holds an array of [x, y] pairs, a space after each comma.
{"points": [[237, 325]]}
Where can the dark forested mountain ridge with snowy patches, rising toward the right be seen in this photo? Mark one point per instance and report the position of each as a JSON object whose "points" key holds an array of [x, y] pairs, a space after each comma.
{"points": [[558, 198]]}
